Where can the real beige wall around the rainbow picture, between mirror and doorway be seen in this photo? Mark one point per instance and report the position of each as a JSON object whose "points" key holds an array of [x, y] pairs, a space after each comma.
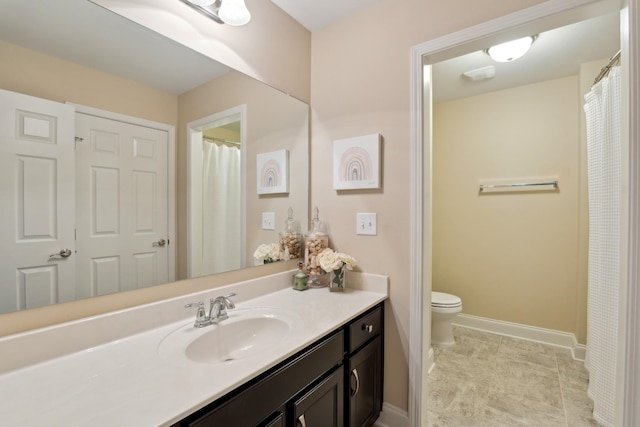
{"points": [[359, 86]]}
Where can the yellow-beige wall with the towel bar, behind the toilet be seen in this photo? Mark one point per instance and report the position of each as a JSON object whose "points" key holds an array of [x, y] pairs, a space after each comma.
{"points": [[510, 256]]}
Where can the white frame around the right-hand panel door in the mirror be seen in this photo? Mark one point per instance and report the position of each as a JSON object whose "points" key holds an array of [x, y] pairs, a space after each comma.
{"points": [[171, 171]]}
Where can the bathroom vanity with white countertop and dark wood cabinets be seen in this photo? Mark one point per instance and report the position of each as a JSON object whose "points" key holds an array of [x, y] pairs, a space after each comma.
{"points": [[320, 362]]}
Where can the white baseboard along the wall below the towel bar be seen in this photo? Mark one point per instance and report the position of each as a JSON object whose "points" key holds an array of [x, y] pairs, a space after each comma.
{"points": [[516, 330]]}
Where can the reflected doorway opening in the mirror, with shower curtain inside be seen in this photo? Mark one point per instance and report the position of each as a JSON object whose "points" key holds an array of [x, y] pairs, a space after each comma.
{"points": [[216, 195]]}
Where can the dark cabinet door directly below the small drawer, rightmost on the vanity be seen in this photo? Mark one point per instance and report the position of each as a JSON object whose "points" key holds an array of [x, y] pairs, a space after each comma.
{"points": [[365, 385]]}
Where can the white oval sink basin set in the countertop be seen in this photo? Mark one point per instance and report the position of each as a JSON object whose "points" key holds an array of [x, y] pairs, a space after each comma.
{"points": [[246, 333]]}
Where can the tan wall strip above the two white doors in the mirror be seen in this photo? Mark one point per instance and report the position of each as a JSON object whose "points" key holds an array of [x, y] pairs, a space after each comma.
{"points": [[32, 73]]}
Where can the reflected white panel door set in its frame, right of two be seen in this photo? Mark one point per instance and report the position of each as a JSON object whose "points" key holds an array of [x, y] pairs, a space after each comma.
{"points": [[122, 206]]}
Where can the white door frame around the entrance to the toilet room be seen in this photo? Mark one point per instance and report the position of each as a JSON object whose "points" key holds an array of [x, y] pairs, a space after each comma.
{"points": [[628, 404]]}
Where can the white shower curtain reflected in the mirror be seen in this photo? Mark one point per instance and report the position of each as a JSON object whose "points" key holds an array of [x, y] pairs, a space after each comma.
{"points": [[221, 243]]}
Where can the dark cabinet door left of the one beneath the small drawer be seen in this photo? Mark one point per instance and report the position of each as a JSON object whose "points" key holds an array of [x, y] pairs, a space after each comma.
{"points": [[322, 406]]}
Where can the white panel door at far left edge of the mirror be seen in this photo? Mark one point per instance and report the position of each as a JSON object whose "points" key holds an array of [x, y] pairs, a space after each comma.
{"points": [[37, 189]]}
